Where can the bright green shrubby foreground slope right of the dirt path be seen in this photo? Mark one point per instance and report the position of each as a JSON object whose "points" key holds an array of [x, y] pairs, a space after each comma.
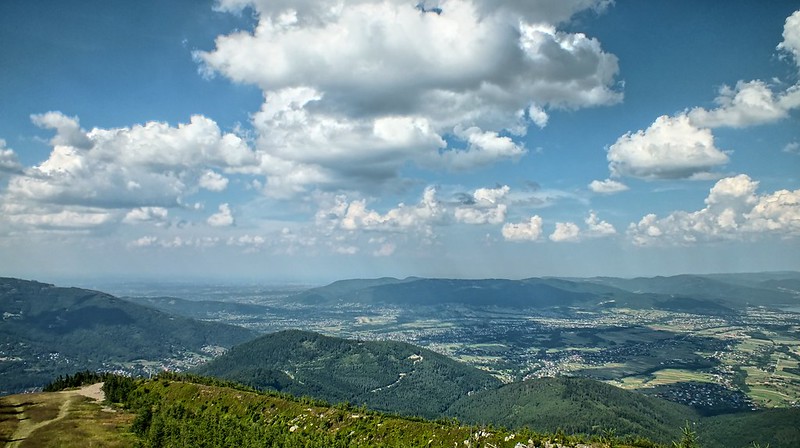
{"points": [[180, 413]]}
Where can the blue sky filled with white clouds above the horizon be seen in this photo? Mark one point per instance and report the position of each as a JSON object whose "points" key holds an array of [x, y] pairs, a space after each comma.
{"points": [[314, 140]]}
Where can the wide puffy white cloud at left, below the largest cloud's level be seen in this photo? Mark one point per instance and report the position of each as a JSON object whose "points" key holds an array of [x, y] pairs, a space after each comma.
{"points": [[150, 165]]}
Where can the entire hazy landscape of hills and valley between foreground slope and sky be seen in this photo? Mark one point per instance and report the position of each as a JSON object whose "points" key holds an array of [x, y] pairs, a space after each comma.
{"points": [[579, 355]]}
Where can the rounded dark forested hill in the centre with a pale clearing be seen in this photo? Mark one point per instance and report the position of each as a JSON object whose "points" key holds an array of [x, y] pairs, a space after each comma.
{"points": [[387, 375]]}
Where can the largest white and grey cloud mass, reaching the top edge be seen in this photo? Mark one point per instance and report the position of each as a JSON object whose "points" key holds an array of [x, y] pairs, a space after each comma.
{"points": [[356, 90]]}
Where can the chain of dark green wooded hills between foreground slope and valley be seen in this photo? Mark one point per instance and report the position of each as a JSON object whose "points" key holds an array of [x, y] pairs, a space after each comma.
{"points": [[401, 378]]}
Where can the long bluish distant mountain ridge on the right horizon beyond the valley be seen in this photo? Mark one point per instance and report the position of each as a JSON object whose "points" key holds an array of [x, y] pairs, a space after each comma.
{"points": [[705, 294]]}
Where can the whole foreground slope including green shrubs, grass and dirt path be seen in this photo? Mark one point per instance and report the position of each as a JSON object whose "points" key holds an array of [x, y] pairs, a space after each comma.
{"points": [[188, 410]]}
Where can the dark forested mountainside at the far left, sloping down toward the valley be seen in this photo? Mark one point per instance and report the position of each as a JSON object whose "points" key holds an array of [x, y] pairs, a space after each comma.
{"points": [[47, 331]]}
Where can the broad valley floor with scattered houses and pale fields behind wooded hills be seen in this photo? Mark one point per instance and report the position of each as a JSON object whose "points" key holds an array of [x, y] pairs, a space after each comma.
{"points": [[716, 356]]}
